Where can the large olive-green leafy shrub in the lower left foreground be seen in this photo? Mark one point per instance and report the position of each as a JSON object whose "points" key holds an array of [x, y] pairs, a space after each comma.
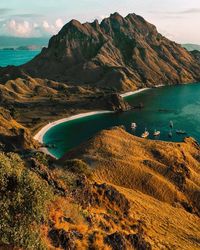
{"points": [[23, 201]]}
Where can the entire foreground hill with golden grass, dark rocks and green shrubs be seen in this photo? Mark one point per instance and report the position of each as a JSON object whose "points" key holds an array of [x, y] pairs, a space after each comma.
{"points": [[116, 191]]}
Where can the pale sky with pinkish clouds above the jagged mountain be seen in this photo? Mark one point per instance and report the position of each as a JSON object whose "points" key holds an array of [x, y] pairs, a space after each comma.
{"points": [[179, 20]]}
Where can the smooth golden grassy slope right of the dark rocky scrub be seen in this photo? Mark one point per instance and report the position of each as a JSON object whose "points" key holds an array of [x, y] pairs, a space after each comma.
{"points": [[161, 179]]}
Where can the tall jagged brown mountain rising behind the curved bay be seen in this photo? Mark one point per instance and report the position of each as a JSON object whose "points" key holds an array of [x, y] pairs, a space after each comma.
{"points": [[123, 53]]}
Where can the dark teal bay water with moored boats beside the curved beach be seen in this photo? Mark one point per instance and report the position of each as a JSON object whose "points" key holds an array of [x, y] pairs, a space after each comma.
{"points": [[181, 104]]}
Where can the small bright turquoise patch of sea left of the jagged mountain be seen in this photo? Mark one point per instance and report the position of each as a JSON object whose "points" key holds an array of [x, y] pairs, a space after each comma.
{"points": [[16, 57]]}
